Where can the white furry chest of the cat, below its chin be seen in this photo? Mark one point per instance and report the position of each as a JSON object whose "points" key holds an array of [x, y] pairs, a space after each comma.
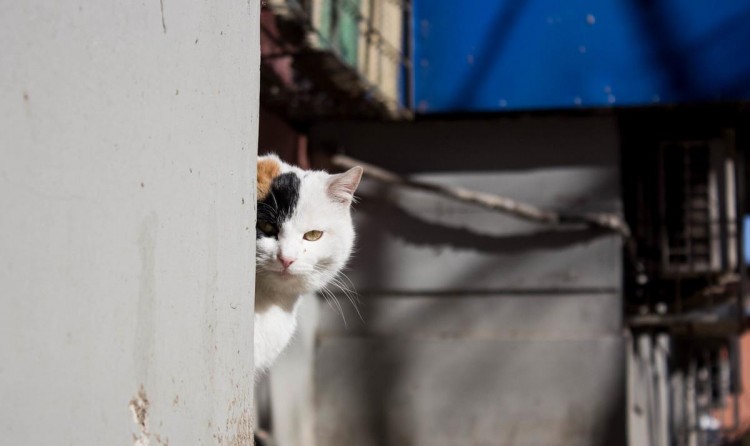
{"points": [[273, 331]]}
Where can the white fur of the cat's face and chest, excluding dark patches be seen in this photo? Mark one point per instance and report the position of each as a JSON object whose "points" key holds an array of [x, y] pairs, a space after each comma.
{"points": [[321, 208]]}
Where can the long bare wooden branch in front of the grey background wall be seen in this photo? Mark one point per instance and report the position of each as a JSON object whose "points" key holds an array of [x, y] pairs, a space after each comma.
{"points": [[498, 203]]}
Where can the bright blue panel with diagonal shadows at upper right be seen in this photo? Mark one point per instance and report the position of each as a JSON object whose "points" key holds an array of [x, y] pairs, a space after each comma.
{"points": [[490, 55]]}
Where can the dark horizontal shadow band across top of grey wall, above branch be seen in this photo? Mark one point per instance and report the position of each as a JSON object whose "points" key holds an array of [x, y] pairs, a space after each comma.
{"points": [[477, 145]]}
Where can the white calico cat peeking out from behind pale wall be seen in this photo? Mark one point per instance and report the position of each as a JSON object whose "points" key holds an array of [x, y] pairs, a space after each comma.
{"points": [[304, 237]]}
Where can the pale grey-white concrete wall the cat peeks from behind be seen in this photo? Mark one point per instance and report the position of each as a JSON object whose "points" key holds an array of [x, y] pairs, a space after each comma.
{"points": [[127, 161]]}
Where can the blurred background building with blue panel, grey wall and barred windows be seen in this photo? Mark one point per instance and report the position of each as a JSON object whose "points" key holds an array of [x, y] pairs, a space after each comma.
{"points": [[483, 328]]}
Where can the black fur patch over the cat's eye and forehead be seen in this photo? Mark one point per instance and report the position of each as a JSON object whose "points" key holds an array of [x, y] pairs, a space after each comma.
{"points": [[278, 206]]}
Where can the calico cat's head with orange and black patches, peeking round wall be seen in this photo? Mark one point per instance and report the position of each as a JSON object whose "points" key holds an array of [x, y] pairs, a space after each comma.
{"points": [[304, 233]]}
